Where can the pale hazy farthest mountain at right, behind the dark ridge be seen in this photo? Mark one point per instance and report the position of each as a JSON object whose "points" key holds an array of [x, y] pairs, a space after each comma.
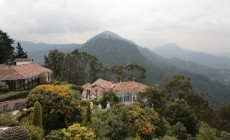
{"points": [[174, 51]]}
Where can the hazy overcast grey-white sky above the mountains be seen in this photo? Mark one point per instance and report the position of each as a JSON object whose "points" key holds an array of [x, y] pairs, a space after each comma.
{"points": [[202, 25]]}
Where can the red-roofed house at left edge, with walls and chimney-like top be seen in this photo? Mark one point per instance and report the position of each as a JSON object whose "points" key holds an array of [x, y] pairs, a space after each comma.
{"points": [[23, 74]]}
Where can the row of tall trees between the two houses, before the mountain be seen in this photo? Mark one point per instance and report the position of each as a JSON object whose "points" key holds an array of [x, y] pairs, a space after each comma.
{"points": [[80, 68]]}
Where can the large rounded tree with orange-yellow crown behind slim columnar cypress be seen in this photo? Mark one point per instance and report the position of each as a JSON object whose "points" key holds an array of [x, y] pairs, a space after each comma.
{"points": [[55, 101]]}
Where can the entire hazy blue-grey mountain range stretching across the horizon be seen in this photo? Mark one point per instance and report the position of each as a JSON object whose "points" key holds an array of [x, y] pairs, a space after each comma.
{"points": [[111, 49]]}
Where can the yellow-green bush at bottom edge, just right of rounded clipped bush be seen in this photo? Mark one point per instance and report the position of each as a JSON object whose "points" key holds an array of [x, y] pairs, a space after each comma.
{"points": [[36, 132]]}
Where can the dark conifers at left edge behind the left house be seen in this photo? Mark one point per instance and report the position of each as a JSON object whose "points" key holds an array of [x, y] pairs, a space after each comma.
{"points": [[7, 50]]}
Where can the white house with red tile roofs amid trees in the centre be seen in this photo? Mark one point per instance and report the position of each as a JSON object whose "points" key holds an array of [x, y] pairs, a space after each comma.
{"points": [[127, 92]]}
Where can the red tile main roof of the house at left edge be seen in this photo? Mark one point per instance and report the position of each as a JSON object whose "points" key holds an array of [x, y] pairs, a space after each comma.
{"points": [[15, 72]]}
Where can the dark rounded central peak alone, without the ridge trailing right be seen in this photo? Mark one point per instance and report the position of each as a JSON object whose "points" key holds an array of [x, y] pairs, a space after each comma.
{"points": [[110, 49]]}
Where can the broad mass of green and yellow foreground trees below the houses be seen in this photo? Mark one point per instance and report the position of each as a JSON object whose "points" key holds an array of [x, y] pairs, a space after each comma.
{"points": [[172, 112]]}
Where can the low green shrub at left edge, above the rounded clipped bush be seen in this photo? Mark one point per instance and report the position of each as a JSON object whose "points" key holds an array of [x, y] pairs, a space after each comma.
{"points": [[8, 120]]}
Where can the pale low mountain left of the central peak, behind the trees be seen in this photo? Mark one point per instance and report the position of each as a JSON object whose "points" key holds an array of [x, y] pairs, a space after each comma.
{"points": [[38, 50]]}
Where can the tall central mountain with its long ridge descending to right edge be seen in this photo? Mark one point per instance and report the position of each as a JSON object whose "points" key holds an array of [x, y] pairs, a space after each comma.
{"points": [[112, 49]]}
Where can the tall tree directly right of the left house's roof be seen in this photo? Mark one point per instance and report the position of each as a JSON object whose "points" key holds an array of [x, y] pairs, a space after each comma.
{"points": [[55, 62]]}
